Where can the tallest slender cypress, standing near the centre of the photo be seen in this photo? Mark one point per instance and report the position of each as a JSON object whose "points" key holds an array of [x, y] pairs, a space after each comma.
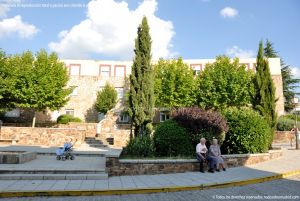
{"points": [[141, 93]]}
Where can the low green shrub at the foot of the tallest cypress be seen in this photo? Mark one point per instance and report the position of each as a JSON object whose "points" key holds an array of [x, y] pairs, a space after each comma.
{"points": [[139, 146]]}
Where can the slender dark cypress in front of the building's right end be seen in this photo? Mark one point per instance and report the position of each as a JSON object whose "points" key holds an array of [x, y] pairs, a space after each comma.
{"points": [[264, 100]]}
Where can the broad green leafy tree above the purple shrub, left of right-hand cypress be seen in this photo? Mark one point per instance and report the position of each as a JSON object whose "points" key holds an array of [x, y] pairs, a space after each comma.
{"points": [[223, 84]]}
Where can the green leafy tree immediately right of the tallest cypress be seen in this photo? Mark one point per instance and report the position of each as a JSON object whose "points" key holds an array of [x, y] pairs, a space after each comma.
{"points": [[174, 84]]}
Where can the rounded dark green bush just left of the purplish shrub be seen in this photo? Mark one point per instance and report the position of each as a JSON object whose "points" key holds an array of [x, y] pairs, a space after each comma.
{"points": [[170, 139]]}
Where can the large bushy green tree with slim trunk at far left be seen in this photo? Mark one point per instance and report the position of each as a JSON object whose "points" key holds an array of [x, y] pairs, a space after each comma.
{"points": [[37, 82]]}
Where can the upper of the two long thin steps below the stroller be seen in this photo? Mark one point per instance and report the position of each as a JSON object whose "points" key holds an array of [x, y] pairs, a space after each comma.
{"points": [[51, 171]]}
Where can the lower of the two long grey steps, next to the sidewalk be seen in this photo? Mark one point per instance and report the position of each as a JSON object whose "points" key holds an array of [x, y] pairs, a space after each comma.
{"points": [[100, 176]]}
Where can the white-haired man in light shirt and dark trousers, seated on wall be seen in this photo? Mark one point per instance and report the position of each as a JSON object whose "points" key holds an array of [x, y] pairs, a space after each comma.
{"points": [[201, 156]]}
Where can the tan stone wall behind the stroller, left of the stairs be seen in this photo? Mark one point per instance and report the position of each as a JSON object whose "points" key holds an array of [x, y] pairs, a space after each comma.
{"points": [[43, 136]]}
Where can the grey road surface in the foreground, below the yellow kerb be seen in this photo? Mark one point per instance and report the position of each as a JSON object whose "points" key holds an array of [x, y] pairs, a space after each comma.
{"points": [[283, 189]]}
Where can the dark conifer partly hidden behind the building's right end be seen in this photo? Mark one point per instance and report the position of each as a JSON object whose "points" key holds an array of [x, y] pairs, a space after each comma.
{"points": [[289, 83]]}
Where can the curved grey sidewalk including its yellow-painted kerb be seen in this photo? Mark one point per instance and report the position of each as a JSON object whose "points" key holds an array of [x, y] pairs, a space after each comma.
{"points": [[269, 170]]}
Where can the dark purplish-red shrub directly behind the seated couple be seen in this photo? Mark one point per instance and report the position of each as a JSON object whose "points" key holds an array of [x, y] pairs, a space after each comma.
{"points": [[200, 123]]}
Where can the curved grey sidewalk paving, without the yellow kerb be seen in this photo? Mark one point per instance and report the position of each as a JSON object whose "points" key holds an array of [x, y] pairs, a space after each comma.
{"points": [[289, 161]]}
